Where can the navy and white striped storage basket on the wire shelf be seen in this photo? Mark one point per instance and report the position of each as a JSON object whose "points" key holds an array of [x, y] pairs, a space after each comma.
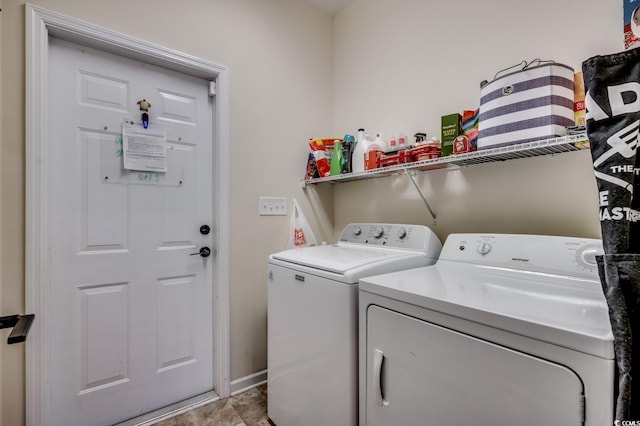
{"points": [[531, 104]]}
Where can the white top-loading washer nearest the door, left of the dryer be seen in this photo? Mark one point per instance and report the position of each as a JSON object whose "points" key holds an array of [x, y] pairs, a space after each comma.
{"points": [[313, 318]]}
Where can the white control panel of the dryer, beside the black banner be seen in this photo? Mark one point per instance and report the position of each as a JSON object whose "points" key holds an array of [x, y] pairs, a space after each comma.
{"points": [[563, 255]]}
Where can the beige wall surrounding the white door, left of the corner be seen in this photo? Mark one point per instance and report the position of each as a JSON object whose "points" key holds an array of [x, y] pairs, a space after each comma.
{"points": [[279, 56]]}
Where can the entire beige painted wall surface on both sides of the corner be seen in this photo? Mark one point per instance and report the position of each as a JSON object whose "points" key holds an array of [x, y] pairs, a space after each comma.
{"points": [[386, 65]]}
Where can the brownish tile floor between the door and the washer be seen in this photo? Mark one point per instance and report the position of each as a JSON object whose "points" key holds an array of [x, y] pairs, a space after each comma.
{"points": [[245, 409]]}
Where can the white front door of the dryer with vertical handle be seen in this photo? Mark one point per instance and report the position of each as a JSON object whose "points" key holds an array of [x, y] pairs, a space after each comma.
{"points": [[419, 373]]}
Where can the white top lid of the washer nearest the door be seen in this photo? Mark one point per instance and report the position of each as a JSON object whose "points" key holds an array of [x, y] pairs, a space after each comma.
{"points": [[340, 259]]}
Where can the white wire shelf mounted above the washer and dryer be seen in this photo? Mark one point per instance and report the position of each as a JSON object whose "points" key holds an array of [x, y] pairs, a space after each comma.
{"points": [[559, 145]]}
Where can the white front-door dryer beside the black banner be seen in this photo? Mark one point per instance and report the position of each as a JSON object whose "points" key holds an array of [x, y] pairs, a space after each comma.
{"points": [[503, 330]]}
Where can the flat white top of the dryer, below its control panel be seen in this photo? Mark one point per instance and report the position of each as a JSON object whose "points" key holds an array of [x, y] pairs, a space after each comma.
{"points": [[566, 311]]}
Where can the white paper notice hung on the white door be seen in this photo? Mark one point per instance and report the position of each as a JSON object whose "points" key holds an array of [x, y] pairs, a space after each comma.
{"points": [[144, 149]]}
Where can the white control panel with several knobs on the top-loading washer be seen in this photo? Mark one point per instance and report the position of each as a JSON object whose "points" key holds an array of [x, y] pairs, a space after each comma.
{"points": [[405, 236]]}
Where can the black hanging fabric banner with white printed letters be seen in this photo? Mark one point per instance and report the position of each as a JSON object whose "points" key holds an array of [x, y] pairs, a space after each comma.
{"points": [[612, 85]]}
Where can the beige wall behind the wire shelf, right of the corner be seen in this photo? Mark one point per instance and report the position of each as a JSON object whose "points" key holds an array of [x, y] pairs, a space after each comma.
{"points": [[402, 64]]}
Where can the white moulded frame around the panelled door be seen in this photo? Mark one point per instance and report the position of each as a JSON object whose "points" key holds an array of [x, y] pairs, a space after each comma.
{"points": [[40, 24]]}
